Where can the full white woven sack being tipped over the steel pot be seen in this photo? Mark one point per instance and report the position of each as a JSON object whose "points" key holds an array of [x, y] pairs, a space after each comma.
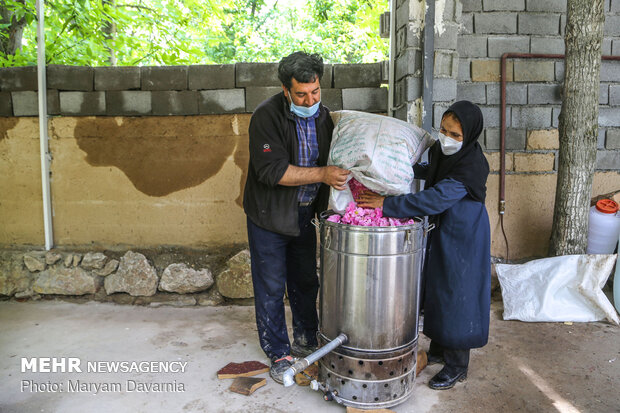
{"points": [[378, 150]]}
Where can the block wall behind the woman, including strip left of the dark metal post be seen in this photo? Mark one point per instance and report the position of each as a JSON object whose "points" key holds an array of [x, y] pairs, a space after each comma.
{"points": [[470, 69]]}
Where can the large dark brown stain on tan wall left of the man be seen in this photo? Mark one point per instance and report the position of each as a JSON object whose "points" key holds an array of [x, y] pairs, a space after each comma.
{"points": [[159, 155]]}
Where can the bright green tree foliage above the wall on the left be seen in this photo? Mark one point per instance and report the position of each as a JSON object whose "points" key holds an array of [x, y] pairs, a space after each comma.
{"points": [[169, 32]]}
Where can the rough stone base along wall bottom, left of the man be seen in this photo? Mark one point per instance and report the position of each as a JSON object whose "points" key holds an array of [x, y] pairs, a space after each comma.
{"points": [[165, 277]]}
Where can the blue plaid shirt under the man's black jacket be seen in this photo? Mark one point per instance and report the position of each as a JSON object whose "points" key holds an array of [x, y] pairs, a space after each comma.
{"points": [[308, 153]]}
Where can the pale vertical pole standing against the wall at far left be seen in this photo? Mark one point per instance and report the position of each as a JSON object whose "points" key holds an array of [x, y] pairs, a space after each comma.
{"points": [[43, 138]]}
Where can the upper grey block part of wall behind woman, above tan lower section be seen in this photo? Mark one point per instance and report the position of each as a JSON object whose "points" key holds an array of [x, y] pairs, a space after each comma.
{"points": [[489, 28]]}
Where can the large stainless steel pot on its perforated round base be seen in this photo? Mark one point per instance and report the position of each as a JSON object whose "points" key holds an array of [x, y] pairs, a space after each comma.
{"points": [[370, 286]]}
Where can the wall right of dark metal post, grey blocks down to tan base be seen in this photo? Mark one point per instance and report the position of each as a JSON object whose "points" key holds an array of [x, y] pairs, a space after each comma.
{"points": [[489, 28]]}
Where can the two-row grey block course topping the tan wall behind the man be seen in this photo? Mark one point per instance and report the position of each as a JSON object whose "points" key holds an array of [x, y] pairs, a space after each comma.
{"points": [[178, 90]]}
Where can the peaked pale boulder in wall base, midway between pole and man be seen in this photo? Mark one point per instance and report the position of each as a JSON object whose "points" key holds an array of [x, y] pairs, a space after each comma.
{"points": [[134, 276]]}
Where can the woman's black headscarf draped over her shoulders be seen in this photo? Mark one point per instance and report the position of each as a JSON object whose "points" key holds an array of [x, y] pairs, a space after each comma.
{"points": [[469, 165]]}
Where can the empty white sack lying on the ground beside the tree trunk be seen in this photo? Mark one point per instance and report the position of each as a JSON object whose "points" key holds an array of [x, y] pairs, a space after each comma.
{"points": [[565, 288]]}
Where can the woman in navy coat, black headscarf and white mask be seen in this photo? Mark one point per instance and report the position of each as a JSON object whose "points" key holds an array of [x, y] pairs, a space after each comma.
{"points": [[457, 269]]}
